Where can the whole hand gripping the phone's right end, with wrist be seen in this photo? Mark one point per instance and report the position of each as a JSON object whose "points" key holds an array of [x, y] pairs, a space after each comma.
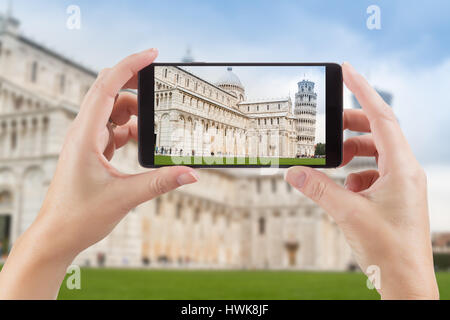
{"points": [[383, 213]]}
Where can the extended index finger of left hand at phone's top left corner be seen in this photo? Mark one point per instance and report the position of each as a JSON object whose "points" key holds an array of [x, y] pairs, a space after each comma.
{"points": [[97, 106]]}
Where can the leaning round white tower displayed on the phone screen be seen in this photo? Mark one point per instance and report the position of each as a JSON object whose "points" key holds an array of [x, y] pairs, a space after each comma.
{"points": [[305, 113]]}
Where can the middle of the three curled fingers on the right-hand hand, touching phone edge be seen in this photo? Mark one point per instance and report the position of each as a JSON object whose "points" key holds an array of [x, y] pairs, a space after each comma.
{"points": [[360, 146]]}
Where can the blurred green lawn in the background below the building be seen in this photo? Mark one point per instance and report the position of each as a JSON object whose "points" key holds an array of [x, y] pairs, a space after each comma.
{"points": [[170, 284]]}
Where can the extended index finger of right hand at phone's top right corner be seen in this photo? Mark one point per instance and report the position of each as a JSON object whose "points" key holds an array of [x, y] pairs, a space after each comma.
{"points": [[391, 144]]}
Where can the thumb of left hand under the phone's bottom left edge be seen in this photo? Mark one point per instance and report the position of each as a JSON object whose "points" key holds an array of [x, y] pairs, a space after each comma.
{"points": [[146, 186]]}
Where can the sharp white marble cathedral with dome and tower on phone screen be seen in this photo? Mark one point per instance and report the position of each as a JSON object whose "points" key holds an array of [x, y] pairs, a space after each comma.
{"points": [[195, 117]]}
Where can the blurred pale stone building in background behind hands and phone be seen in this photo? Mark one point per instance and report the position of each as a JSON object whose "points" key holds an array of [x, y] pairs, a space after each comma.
{"points": [[246, 220]]}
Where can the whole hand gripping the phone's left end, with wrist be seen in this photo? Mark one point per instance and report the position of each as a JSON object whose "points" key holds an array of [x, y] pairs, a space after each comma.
{"points": [[87, 196]]}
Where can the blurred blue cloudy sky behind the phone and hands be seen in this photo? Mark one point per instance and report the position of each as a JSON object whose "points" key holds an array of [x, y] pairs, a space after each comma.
{"points": [[409, 56]]}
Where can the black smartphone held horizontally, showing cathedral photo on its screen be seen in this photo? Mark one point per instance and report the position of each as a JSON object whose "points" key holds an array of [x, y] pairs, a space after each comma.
{"points": [[240, 114]]}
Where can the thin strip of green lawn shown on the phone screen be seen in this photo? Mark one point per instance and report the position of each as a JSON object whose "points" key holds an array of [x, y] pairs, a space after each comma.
{"points": [[170, 160]]}
